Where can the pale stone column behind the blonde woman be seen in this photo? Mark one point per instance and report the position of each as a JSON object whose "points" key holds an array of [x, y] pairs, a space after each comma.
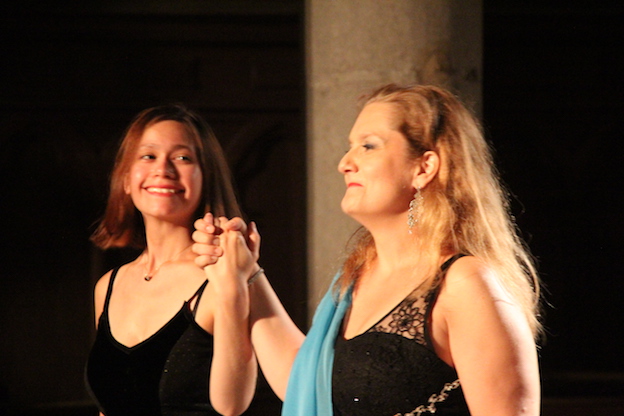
{"points": [[352, 46]]}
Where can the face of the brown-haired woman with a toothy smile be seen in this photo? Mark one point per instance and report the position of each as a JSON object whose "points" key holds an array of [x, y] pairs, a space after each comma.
{"points": [[165, 178]]}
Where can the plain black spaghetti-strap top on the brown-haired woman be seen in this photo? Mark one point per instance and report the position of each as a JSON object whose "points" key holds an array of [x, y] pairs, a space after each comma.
{"points": [[167, 374]]}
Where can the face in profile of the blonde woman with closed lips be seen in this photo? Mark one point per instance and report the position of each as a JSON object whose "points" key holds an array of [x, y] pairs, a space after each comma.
{"points": [[378, 173]]}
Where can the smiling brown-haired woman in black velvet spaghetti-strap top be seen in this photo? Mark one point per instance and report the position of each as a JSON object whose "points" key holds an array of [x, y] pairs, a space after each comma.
{"points": [[154, 351]]}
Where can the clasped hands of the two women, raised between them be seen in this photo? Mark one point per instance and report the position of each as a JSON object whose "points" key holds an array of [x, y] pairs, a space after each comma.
{"points": [[226, 248]]}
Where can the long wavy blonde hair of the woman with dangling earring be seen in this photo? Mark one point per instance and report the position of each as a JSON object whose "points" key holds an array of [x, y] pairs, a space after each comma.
{"points": [[465, 208]]}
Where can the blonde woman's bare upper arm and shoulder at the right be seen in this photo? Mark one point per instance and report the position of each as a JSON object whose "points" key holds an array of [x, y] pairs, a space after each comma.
{"points": [[486, 337]]}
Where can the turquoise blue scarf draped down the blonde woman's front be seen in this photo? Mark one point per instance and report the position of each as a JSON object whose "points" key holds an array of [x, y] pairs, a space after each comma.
{"points": [[309, 390]]}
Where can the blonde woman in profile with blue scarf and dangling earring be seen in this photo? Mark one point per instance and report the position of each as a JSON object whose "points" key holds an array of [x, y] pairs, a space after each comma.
{"points": [[435, 309]]}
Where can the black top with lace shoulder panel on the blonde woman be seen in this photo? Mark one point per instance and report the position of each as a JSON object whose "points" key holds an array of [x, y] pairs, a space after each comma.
{"points": [[392, 368]]}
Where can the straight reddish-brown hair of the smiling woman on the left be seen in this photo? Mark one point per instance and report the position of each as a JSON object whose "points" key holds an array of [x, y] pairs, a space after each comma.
{"points": [[122, 224]]}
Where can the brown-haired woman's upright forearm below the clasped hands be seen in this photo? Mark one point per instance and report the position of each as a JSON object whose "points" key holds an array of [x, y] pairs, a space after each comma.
{"points": [[234, 368]]}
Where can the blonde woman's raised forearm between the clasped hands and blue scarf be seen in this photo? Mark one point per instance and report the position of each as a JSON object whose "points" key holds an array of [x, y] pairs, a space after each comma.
{"points": [[276, 338]]}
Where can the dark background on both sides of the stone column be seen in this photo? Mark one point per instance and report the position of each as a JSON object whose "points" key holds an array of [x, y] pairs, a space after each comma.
{"points": [[73, 75]]}
